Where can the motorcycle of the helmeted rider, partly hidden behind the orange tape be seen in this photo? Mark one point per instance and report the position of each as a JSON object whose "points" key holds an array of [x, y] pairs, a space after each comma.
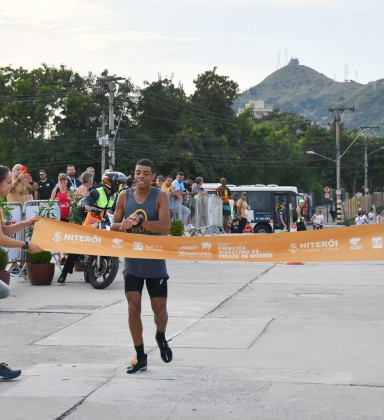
{"points": [[100, 271]]}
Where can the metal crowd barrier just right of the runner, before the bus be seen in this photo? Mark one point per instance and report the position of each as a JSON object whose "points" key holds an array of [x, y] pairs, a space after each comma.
{"points": [[201, 214]]}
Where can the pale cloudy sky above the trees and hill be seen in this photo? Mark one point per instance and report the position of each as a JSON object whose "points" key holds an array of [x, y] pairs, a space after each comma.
{"points": [[247, 40]]}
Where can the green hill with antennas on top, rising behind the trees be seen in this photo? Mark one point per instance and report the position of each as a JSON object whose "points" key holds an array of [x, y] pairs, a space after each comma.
{"points": [[300, 89]]}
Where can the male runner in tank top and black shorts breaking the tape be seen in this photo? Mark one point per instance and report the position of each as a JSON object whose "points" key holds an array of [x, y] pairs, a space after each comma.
{"points": [[144, 210]]}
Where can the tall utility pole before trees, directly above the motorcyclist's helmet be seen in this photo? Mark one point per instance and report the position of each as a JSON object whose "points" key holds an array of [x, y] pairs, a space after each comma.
{"points": [[111, 81]]}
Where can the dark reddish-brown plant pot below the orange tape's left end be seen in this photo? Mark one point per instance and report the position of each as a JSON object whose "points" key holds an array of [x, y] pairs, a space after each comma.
{"points": [[40, 269]]}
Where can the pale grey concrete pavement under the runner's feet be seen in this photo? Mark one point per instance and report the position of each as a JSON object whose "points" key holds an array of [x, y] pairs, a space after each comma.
{"points": [[250, 341]]}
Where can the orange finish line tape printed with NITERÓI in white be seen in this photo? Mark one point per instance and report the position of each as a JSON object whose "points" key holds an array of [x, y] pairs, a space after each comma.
{"points": [[356, 243]]}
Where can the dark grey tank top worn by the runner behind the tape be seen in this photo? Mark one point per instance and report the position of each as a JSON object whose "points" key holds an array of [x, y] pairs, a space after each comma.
{"points": [[140, 267]]}
